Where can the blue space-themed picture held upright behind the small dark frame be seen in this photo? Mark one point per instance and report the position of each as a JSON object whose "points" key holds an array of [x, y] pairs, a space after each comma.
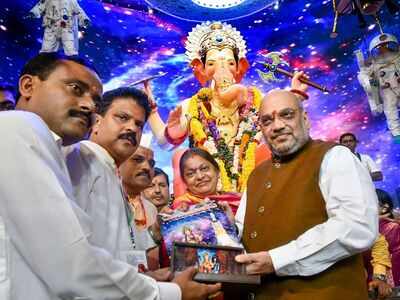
{"points": [[204, 224]]}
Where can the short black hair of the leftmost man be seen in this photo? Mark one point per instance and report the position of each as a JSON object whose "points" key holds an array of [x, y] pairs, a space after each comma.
{"points": [[43, 64]]}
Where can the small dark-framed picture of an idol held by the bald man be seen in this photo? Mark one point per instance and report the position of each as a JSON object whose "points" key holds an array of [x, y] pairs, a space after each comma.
{"points": [[214, 263]]}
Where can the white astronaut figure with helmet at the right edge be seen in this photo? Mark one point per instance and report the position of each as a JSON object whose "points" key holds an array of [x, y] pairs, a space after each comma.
{"points": [[380, 78]]}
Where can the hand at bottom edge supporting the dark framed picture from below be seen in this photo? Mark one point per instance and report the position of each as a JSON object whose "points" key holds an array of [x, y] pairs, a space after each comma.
{"points": [[192, 290]]}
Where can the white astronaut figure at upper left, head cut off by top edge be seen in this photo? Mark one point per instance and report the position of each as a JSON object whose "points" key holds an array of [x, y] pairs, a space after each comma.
{"points": [[61, 19]]}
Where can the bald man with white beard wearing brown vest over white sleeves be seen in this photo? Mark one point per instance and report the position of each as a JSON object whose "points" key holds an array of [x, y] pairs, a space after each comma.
{"points": [[330, 211]]}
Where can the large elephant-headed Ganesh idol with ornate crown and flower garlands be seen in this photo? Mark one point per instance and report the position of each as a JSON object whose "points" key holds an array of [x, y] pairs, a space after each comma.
{"points": [[221, 117]]}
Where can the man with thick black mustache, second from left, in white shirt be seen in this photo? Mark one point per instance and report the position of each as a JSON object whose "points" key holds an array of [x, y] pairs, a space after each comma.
{"points": [[93, 166]]}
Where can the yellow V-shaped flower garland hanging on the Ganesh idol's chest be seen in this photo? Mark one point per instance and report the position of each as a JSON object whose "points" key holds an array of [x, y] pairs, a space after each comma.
{"points": [[236, 162]]}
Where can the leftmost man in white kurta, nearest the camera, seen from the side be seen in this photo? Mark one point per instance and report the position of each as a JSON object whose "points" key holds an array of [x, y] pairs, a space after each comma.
{"points": [[44, 248]]}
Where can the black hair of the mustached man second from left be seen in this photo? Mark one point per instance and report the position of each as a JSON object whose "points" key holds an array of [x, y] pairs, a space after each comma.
{"points": [[124, 92]]}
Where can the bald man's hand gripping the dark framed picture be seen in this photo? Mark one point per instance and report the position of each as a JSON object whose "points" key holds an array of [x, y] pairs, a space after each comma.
{"points": [[257, 262]]}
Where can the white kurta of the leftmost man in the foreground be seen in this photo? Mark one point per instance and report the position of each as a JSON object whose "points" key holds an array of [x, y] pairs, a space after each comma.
{"points": [[44, 250]]}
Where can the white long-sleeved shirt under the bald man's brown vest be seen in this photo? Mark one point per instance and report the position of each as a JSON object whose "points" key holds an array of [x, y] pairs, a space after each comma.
{"points": [[352, 225]]}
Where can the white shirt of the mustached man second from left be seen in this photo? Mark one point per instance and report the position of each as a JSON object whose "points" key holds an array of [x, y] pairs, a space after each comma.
{"points": [[98, 192]]}
